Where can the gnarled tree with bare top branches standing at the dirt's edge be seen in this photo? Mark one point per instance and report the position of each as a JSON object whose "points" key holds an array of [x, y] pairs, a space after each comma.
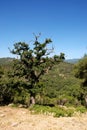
{"points": [[32, 63]]}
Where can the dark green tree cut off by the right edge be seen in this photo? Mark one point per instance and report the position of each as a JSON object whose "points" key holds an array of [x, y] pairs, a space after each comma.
{"points": [[80, 71]]}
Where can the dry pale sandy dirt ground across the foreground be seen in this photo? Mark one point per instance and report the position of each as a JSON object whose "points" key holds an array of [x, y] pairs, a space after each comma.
{"points": [[22, 119]]}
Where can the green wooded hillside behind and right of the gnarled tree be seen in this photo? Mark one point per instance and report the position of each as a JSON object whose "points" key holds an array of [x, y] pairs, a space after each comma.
{"points": [[61, 83]]}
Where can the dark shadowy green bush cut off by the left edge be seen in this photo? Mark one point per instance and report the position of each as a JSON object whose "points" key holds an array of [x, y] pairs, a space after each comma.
{"points": [[5, 90]]}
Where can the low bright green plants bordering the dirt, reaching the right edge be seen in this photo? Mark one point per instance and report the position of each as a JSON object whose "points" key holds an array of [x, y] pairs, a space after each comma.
{"points": [[58, 111]]}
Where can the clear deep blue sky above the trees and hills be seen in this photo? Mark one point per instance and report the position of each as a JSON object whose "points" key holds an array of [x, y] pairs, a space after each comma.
{"points": [[64, 21]]}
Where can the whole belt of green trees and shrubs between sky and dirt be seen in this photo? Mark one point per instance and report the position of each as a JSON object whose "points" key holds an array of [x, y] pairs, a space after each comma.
{"points": [[38, 81]]}
